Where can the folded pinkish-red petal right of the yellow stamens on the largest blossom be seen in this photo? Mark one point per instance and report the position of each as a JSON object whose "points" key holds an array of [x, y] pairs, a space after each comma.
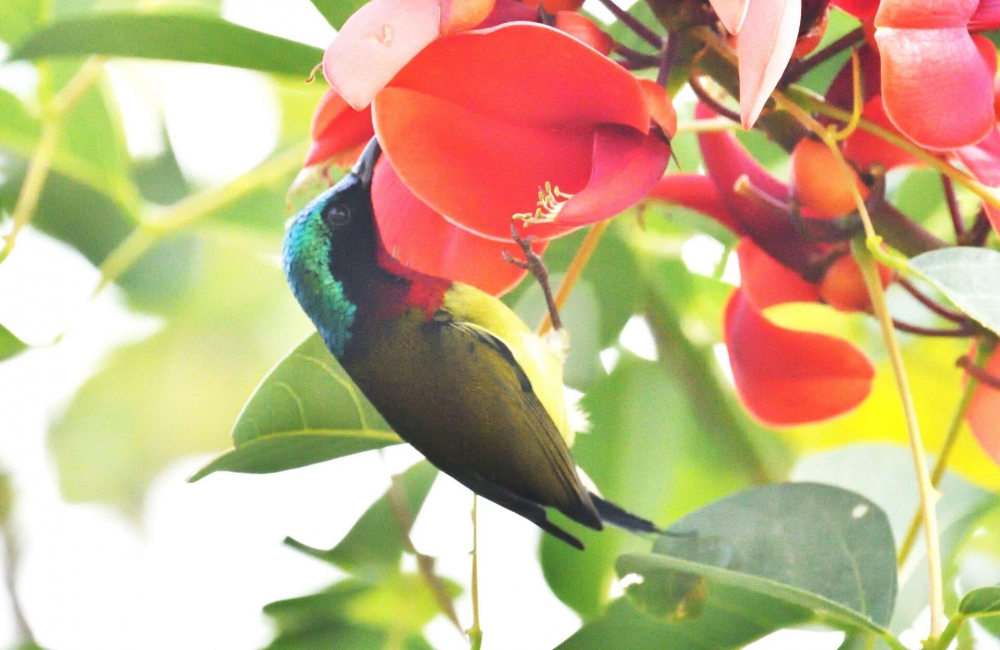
{"points": [[626, 166]]}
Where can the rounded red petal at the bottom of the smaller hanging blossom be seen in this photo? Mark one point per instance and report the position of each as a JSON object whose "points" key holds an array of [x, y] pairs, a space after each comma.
{"points": [[785, 377]]}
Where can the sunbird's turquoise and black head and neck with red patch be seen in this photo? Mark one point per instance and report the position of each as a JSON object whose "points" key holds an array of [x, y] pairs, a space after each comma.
{"points": [[344, 276]]}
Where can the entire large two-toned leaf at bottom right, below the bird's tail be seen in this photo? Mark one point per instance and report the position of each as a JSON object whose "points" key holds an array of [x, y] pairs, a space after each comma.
{"points": [[760, 560]]}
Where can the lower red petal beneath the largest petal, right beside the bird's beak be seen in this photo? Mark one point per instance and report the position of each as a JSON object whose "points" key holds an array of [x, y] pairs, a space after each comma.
{"points": [[422, 240]]}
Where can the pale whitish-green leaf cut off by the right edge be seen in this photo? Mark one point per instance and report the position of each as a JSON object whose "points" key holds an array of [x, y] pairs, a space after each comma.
{"points": [[967, 276]]}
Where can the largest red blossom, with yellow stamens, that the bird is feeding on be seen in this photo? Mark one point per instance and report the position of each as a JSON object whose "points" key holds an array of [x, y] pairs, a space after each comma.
{"points": [[518, 119]]}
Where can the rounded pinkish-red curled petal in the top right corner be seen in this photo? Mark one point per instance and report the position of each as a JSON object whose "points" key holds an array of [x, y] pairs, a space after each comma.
{"points": [[924, 71]]}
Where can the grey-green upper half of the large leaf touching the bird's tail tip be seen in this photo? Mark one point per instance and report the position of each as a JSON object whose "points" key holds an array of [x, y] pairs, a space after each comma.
{"points": [[821, 539]]}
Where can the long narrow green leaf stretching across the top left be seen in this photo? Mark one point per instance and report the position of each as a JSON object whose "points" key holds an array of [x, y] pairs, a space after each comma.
{"points": [[196, 38]]}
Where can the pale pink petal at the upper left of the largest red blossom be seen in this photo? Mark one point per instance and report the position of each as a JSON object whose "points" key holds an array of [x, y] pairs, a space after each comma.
{"points": [[375, 43]]}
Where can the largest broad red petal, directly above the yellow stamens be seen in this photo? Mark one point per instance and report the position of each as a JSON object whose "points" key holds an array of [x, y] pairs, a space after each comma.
{"points": [[479, 121]]}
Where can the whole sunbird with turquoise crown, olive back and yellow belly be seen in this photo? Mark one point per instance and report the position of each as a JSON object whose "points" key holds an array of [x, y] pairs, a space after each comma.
{"points": [[451, 368]]}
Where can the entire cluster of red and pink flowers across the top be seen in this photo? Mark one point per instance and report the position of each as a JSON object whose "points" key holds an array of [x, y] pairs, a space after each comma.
{"points": [[488, 117]]}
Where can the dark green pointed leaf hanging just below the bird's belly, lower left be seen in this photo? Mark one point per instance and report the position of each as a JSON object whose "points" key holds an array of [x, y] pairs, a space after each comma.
{"points": [[375, 544]]}
